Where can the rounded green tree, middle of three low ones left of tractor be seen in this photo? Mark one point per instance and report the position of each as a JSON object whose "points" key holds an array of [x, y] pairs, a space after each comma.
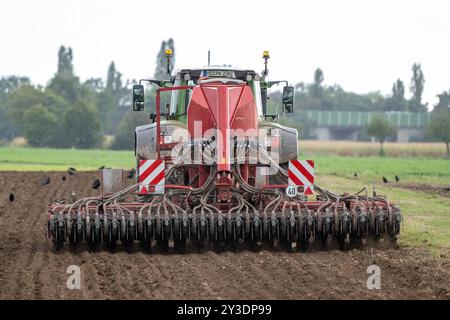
{"points": [[82, 126]]}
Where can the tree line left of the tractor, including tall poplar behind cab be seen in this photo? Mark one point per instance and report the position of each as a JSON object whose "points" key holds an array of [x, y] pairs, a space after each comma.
{"points": [[68, 113]]}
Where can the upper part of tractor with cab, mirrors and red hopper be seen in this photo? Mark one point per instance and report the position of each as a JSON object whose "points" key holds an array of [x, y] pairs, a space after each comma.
{"points": [[218, 97]]}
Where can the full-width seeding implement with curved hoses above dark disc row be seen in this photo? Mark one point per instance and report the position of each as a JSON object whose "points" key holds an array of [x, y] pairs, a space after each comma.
{"points": [[186, 216]]}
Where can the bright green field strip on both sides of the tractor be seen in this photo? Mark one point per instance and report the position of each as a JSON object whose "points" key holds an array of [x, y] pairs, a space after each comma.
{"points": [[372, 169]]}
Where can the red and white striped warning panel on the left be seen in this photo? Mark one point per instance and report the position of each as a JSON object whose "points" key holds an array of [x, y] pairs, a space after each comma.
{"points": [[151, 176]]}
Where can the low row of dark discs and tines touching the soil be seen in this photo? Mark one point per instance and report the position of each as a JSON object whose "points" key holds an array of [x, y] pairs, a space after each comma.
{"points": [[160, 225]]}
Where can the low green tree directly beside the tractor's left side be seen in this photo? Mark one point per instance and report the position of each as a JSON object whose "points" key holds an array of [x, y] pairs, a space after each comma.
{"points": [[124, 139]]}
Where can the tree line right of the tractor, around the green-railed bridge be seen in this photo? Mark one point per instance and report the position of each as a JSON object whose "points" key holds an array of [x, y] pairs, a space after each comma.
{"points": [[317, 96]]}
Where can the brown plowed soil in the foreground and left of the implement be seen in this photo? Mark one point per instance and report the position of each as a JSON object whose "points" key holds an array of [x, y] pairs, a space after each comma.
{"points": [[29, 268]]}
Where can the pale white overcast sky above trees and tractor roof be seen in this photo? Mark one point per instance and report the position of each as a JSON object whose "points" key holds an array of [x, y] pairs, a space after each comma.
{"points": [[361, 45]]}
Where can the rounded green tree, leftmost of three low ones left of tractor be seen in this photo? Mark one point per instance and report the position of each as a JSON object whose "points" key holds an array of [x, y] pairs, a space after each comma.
{"points": [[41, 127]]}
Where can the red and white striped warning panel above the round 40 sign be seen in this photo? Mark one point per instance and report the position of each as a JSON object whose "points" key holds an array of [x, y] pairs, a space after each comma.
{"points": [[301, 173]]}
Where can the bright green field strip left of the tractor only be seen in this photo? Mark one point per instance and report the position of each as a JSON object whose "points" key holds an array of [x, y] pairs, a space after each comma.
{"points": [[36, 159]]}
